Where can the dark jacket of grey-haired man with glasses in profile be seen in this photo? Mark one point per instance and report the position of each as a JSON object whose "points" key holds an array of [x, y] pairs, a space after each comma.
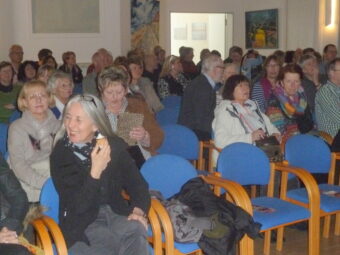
{"points": [[197, 108]]}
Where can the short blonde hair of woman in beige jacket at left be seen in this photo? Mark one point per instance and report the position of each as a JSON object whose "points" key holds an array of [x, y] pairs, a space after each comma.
{"points": [[25, 90]]}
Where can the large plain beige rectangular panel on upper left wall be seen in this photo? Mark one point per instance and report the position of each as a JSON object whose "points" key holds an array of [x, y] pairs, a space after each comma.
{"points": [[65, 16]]}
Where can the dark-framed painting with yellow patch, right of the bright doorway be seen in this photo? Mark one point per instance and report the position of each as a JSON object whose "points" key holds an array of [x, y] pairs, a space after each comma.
{"points": [[262, 29]]}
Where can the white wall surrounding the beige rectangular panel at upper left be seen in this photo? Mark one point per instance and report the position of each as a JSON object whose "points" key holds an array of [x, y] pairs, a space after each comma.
{"points": [[84, 45]]}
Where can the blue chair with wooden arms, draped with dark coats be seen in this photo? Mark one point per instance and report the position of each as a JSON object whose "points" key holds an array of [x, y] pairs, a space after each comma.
{"points": [[167, 173]]}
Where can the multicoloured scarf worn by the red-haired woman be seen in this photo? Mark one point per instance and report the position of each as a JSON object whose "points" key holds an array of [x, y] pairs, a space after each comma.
{"points": [[291, 105]]}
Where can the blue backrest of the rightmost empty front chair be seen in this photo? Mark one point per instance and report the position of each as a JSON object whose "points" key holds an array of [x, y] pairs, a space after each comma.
{"points": [[308, 152]]}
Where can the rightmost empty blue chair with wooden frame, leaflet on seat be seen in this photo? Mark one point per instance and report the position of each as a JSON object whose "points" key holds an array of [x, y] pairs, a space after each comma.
{"points": [[314, 155]]}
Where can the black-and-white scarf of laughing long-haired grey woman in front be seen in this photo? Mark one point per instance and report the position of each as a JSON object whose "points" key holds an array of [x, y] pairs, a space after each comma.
{"points": [[84, 150]]}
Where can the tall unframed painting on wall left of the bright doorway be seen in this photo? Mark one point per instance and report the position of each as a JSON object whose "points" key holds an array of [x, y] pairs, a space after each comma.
{"points": [[144, 24]]}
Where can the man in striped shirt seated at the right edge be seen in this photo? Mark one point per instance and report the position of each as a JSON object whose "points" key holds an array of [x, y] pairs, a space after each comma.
{"points": [[327, 101]]}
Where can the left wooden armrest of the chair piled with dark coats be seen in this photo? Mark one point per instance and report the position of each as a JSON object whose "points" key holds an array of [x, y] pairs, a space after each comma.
{"points": [[166, 225]]}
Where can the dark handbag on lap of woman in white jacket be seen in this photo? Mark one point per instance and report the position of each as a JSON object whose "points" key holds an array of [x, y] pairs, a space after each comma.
{"points": [[271, 146]]}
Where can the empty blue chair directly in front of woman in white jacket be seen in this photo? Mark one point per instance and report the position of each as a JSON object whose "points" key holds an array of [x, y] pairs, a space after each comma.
{"points": [[248, 165]]}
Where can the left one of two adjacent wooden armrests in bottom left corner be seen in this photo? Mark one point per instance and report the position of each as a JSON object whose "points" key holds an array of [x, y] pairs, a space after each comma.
{"points": [[43, 237]]}
